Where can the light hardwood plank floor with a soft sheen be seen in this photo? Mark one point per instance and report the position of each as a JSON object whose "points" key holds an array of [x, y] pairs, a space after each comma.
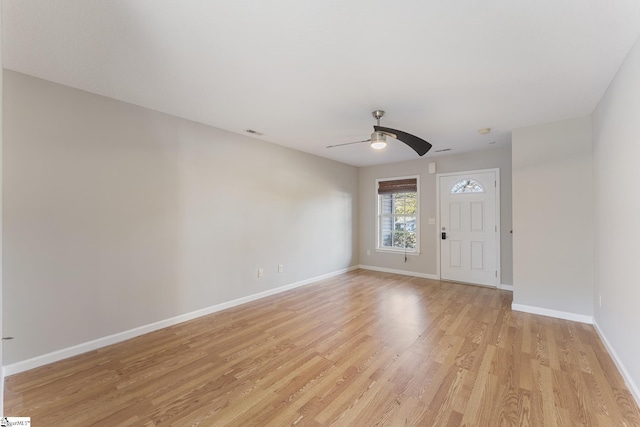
{"points": [[361, 349]]}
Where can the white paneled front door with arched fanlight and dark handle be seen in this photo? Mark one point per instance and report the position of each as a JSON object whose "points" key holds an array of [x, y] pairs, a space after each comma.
{"points": [[469, 229]]}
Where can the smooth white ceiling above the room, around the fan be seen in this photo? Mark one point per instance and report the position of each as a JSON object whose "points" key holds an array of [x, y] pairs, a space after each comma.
{"points": [[308, 73]]}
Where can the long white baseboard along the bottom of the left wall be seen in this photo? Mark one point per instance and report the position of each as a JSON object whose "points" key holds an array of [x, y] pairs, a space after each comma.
{"points": [[75, 350]]}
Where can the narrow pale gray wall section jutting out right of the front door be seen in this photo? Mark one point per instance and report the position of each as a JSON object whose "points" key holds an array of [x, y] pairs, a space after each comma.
{"points": [[553, 216]]}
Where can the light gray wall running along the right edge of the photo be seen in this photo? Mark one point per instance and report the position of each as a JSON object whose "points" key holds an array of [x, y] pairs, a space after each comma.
{"points": [[616, 151]]}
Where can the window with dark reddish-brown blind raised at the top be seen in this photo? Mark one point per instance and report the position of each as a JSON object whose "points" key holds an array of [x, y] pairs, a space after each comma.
{"points": [[398, 214]]}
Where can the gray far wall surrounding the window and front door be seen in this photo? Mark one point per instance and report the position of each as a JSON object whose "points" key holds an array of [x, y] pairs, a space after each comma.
{"points": [[426, 262]]}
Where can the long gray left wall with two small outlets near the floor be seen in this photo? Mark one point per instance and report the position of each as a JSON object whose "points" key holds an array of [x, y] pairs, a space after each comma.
{"points": [[116, 216]]}
